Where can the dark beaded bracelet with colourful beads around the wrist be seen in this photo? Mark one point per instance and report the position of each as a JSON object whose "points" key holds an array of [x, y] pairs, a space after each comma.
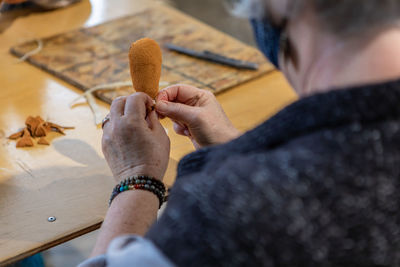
{"points": [[140, 182]]}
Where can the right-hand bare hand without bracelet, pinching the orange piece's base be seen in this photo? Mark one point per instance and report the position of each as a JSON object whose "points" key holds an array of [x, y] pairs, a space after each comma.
{"points": [[196, 114]]}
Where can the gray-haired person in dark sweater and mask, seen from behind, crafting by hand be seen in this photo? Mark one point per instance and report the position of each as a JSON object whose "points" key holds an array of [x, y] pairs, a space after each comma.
{"points": [[316, 185]]}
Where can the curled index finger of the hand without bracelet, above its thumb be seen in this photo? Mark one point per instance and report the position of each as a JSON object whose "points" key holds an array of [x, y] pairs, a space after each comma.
{"points": [[179, 93]]}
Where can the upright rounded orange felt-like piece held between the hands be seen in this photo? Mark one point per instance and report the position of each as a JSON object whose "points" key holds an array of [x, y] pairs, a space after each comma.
{"points": [[145, 58]]}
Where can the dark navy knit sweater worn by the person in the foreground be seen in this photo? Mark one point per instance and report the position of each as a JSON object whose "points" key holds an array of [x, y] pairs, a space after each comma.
{"points": [[316, 185]]}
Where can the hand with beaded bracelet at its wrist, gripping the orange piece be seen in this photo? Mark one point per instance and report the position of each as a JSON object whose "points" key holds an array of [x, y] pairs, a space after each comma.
{"points": [[134, 142]]}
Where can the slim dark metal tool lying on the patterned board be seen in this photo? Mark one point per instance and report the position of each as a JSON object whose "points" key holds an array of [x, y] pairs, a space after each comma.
{"points": [[214, 57]]}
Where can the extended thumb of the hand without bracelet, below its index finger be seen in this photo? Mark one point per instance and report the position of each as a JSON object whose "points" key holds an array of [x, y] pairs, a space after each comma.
{"points": [[176, 111]]}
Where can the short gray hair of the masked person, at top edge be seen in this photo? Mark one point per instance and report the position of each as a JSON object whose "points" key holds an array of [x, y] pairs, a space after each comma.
{"points": [[341, 17]]}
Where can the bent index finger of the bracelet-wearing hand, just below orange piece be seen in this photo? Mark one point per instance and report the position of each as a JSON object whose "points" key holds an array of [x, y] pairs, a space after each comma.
{"points": [[137, 105]]}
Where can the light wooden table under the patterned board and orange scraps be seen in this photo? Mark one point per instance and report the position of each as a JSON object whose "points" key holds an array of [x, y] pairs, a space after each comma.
{"points": [[70, 179]]}
